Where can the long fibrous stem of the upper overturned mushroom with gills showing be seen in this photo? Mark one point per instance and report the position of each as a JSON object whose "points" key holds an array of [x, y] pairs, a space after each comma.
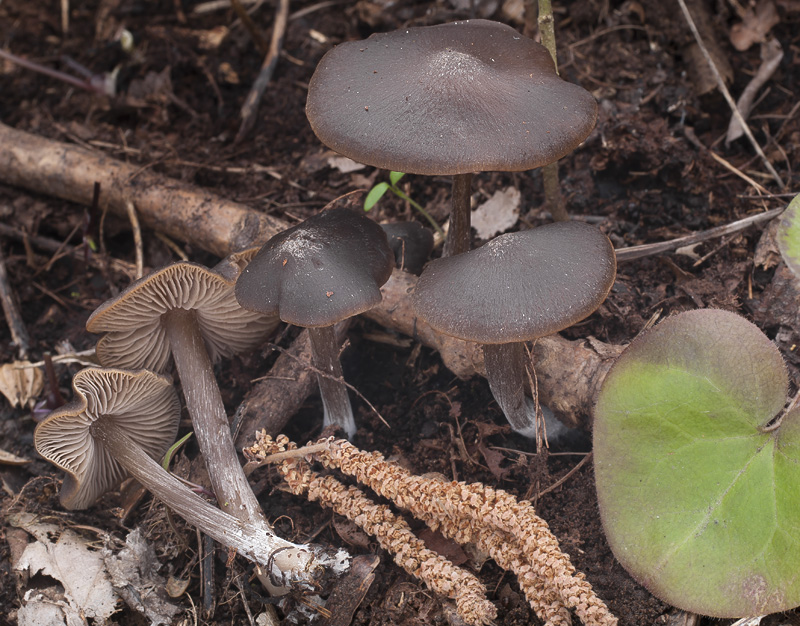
{"points": [[211, 426]]}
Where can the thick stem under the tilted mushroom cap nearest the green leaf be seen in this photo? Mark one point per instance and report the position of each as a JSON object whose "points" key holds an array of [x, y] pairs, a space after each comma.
{"points": [[505, 370]]}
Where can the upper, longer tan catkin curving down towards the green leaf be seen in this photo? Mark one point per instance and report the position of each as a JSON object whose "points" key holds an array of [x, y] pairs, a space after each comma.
{"points": [[463, 508]]}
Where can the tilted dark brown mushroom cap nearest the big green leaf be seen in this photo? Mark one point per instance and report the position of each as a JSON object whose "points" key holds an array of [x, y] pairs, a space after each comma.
{"points": [[519, 286]]}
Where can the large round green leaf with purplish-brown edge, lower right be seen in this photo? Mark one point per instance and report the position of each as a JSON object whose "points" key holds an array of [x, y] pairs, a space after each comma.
{"points": [[698, 483]]}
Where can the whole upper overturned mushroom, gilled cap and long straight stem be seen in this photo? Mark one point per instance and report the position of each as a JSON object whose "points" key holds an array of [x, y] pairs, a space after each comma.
{"points": [[190, 311]]}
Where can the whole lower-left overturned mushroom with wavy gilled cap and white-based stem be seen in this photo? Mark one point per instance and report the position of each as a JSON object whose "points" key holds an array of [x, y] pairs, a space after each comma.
{"points": [[117, 424]]}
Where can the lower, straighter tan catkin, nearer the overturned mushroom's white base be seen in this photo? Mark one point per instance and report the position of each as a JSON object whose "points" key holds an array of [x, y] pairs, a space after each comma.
{"points": [[391, 531]]}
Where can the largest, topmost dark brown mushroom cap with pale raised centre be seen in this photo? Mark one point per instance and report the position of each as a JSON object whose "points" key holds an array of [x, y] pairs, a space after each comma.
{"points": [[449, 99]]}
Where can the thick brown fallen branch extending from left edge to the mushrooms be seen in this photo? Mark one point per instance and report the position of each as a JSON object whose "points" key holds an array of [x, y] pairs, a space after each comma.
{"points": [[163, 204]]}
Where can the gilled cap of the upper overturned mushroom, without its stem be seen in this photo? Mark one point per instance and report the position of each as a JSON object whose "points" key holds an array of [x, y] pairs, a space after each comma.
{"points": [[135, 337]]}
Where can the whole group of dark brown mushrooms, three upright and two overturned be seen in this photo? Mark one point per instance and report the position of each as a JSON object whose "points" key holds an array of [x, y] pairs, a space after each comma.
{"points": [[452, 99]]}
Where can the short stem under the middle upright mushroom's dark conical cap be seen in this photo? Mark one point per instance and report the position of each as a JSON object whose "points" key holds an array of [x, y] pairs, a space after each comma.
{"points": [[335, 401]]}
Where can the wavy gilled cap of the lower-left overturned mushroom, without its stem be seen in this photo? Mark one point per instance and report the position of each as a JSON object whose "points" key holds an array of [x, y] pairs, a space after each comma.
{"points": [[143, 403]]}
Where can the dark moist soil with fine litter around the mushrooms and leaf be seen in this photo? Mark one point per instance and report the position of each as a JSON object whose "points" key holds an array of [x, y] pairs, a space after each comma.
{"points": [[645, 174]]}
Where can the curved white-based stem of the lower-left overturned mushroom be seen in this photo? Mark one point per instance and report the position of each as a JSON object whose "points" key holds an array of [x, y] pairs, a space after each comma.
{"points": [[266, 549]]}
